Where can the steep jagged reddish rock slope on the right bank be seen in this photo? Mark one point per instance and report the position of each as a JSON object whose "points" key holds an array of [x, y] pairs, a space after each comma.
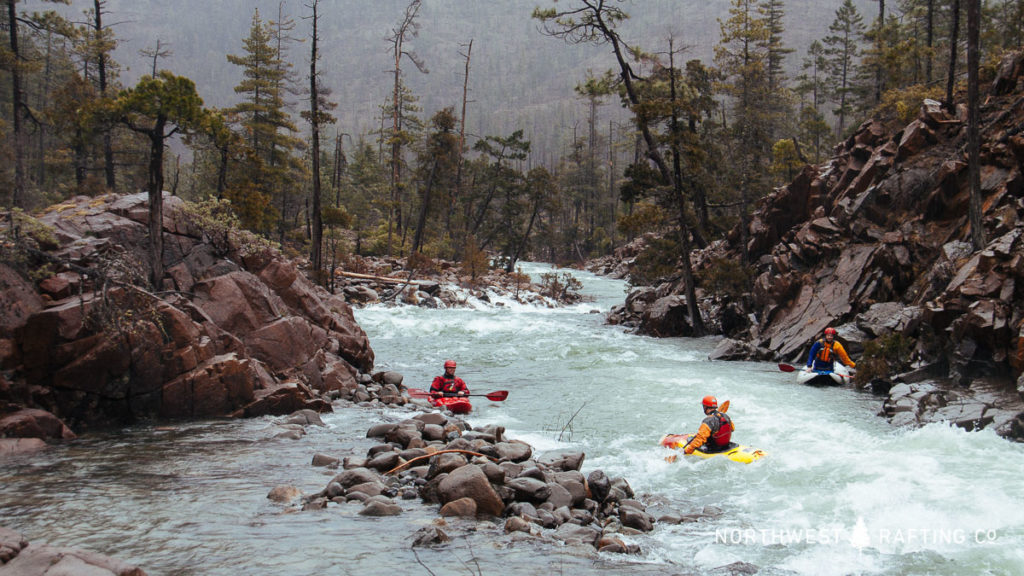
{"points": [[877, 243]]}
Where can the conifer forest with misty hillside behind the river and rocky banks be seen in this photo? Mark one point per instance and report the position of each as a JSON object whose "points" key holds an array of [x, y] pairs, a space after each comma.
{"points": [[586, 124]]}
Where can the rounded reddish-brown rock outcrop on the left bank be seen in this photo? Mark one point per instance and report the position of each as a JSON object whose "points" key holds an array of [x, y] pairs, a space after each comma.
{"points": [[236, 330]]}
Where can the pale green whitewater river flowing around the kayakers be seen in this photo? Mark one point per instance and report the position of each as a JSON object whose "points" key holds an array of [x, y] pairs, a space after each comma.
{"points": [[841, 491]]}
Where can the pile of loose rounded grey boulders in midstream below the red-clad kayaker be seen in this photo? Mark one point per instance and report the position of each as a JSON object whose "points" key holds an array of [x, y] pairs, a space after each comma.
{"points": [[472, 473]]}
